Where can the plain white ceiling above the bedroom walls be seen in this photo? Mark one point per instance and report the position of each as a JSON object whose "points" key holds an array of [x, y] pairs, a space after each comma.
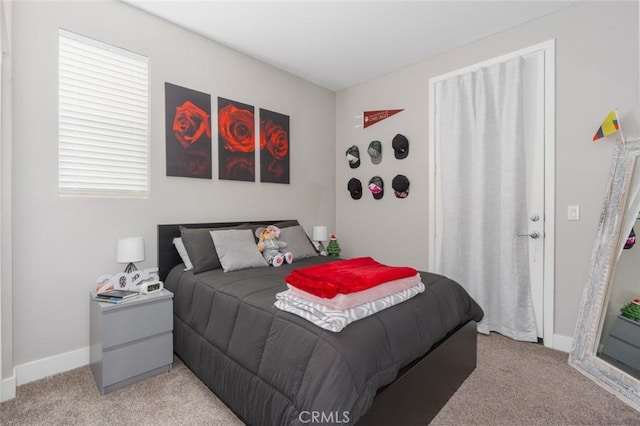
{"points": [[339, 44]]}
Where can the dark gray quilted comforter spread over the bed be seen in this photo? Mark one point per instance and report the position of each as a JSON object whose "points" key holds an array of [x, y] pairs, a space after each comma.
{"points": [[274, 368]]}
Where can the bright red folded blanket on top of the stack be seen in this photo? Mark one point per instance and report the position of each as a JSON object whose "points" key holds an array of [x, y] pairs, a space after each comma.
{"points": [[345, 276]]}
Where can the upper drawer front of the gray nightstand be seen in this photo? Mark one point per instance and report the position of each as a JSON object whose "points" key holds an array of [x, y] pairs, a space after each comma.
{"points": [[136, 321]]}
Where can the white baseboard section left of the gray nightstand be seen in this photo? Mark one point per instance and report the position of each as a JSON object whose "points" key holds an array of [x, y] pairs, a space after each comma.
{"points": [[39, 369]]}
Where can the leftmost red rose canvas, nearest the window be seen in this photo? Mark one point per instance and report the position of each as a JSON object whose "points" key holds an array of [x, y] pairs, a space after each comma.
{"points": [[188, 132]]}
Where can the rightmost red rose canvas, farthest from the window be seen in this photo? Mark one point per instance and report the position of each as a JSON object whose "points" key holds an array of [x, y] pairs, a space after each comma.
{"points": [[274, 147]]}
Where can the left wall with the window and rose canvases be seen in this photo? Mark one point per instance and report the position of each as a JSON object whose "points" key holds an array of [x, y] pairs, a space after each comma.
{"points": [[62, 244]]}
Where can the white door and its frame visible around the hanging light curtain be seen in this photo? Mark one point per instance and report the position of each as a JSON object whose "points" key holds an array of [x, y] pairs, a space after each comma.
{"points": [[538, 124]]}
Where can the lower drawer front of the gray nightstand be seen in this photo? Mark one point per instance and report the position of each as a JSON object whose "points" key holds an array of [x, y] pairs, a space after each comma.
{"points": [[132, 360]]}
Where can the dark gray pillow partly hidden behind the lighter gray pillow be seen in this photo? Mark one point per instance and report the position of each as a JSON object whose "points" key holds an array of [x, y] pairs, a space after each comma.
{"points": [[200, 248]]}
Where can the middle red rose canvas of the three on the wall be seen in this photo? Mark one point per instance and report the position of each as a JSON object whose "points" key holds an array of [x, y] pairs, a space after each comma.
{"points": [[236, 141]]}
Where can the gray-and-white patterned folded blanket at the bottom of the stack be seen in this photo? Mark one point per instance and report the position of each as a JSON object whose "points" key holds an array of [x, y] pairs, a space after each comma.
{"points": [[335, 320]]}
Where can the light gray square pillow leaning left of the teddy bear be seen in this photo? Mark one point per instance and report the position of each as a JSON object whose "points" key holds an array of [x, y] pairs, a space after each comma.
{"points": [[237, 249]]}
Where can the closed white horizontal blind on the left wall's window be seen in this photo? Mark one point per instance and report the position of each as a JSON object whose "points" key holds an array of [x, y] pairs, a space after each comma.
{"points": [[103, 118]]}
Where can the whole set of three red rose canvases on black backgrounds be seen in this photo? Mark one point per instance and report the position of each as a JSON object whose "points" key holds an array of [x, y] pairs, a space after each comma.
{"points": [[188, 138]]}
